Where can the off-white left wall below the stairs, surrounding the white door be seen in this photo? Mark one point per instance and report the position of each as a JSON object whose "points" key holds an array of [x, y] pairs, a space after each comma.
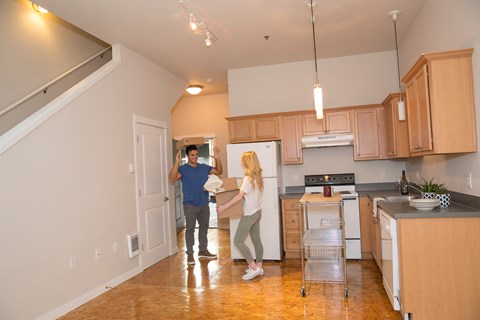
{"points": [[66, 190]]}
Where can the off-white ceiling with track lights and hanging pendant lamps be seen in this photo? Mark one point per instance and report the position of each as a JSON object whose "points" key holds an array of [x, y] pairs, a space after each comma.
{"points": [[159, 30]]}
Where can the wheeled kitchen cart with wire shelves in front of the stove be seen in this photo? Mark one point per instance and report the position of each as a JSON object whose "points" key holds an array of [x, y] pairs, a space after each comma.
{"points": [[322, 236]]}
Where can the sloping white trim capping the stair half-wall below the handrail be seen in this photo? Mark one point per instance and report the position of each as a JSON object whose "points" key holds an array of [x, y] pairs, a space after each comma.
{"points": [[18, 132]]}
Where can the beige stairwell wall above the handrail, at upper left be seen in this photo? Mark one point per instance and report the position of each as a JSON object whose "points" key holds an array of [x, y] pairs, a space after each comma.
{"points": [[37, 48]]}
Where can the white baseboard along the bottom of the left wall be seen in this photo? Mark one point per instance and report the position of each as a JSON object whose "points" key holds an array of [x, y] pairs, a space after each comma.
{"points": [[92, 294]]}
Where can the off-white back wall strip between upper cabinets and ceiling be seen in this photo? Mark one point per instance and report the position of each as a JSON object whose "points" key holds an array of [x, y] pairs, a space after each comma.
{"points": [[346, 81]]}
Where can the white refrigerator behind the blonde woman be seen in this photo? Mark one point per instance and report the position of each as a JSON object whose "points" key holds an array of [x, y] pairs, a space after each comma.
{"points": [[271, 222]]}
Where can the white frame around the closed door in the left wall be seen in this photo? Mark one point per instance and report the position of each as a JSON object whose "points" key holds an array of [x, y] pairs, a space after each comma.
{"points": [[172, 243]]}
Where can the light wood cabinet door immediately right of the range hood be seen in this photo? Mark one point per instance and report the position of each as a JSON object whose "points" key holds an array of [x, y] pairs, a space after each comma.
{"points": [[367, 139]]}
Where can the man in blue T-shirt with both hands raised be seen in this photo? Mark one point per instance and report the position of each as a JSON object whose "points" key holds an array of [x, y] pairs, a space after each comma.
{"points": [[195, 199]]}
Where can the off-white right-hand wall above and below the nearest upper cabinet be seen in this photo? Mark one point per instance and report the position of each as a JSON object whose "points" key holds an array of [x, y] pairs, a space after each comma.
{"points": [[444, 25]]}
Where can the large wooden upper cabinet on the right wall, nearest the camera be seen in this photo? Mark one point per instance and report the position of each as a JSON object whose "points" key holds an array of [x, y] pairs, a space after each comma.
{"points": [[440, 104]]}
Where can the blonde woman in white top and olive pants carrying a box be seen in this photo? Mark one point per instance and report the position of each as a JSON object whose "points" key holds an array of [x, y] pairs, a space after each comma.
{"points": [[251, 191]]}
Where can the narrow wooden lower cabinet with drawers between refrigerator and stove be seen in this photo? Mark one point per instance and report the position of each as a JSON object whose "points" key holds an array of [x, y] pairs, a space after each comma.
{"points": [[291, 228]]}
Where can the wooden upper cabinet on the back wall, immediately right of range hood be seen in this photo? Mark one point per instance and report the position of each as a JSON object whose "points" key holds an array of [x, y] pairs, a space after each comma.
{"points": [[369, 128]]}
